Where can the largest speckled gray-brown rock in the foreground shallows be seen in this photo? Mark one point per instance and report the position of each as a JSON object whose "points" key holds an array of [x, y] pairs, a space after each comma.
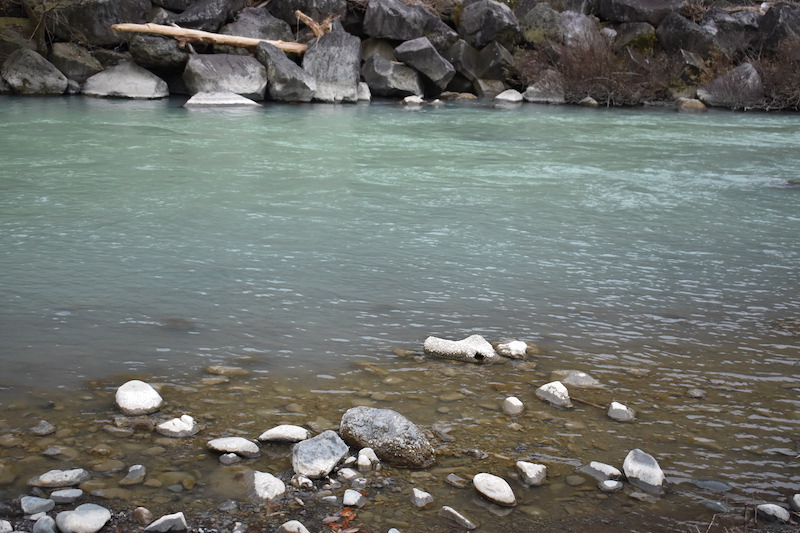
{"points": [[392, 436]]}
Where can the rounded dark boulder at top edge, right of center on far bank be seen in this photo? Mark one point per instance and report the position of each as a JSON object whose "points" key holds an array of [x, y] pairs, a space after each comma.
{"points": [[484, 21]]}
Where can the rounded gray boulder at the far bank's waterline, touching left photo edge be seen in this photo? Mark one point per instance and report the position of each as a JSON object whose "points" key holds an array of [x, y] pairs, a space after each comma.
{"points": [[27, 72]]}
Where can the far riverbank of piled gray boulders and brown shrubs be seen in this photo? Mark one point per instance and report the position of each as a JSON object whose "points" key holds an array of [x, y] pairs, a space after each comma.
{"points": [[604, 53]]}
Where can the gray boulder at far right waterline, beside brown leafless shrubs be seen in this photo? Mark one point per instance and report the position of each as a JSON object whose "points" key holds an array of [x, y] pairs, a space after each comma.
{"points": [[738, 88]]}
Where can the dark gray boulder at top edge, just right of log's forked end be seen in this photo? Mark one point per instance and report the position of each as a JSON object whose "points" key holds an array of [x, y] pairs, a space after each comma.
{"points": [[396, 20]]}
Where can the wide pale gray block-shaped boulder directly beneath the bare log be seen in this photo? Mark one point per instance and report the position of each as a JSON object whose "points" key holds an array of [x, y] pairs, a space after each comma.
{"points": [[243, 75]]}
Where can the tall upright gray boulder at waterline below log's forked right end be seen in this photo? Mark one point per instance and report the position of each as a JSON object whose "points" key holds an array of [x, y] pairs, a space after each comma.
{"points": [[334, 60]]}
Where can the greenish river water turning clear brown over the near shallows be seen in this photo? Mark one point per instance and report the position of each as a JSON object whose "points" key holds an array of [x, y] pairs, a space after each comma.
{"points": [[656, 251]]}
